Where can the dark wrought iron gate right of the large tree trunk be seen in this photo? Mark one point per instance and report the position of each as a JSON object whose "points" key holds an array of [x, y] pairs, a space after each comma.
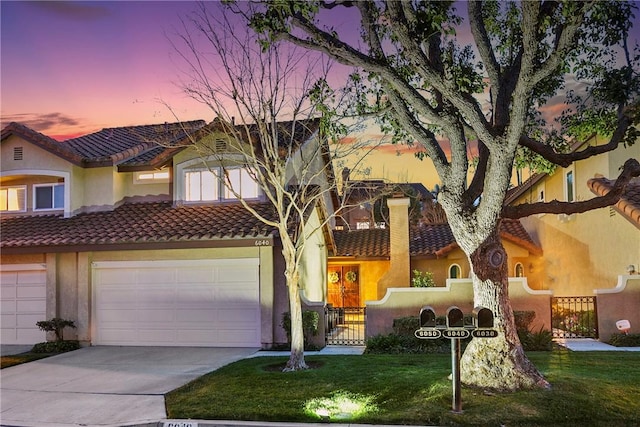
{"points": [[574, 317]]}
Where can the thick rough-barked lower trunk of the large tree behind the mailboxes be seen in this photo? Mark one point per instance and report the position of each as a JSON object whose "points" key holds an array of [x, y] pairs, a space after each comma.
{"points": [[496, 363]]}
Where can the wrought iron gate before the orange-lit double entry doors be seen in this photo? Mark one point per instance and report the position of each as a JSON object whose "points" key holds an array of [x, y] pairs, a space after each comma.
{"points": [[345, 325]]}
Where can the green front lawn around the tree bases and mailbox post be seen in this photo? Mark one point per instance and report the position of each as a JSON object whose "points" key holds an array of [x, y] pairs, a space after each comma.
{"points": [[589, 388]]}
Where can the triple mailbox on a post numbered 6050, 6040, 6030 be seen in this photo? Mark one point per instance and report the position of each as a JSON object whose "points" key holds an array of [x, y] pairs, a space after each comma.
{"points": [[455, 330]]}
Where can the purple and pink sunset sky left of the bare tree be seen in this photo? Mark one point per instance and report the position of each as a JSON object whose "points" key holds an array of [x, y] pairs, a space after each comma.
{"points": [[71, 68]]}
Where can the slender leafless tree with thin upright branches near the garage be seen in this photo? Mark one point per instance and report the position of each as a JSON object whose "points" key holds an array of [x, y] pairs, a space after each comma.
{"points": [[269, 133]]}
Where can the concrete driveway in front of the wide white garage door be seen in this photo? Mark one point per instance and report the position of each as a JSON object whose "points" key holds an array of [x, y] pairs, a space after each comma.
{"points": [[104, 385]]}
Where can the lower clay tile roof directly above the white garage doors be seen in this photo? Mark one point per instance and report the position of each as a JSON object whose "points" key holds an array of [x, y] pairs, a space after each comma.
{"points": [[157, 222]]}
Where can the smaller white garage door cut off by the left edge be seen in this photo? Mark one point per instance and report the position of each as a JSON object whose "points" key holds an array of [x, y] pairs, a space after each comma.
{"points": [[23, 302]]}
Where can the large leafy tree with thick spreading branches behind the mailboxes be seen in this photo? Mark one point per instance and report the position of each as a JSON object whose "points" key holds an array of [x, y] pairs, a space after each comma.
{"points": [[424, 83]]}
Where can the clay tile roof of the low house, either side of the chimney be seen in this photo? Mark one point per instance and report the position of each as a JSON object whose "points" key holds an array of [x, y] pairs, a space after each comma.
{"points": [[426, 240]]}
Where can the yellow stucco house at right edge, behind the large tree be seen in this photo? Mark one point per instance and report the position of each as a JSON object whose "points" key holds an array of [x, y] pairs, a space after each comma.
{"points": [[591, 250]]}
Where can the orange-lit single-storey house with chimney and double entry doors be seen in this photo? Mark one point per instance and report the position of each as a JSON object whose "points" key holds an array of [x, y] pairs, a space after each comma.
{"points": [[368, 262]]}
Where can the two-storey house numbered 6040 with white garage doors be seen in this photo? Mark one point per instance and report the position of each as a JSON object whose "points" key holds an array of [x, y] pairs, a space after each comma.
{"points": [[127, 232]]}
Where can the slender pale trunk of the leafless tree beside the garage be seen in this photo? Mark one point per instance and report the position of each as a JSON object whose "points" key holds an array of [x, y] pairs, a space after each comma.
{"points": [[296, 359]]}
